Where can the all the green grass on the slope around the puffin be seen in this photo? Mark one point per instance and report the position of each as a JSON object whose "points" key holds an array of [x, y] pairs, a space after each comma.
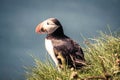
{"points": [[102, 58]]}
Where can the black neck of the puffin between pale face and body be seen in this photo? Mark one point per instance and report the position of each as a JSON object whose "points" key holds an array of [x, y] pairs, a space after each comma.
{"points": [[59, 33]]}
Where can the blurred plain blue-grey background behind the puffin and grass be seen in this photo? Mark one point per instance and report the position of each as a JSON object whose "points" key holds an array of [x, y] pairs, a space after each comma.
{"points": [[18, 19]]}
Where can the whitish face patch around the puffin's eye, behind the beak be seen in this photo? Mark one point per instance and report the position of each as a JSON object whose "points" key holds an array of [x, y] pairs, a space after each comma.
{"points": [[50, 26]]}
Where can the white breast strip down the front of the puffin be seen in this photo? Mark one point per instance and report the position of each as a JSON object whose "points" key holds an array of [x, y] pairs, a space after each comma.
{"points": [[49, 48]]}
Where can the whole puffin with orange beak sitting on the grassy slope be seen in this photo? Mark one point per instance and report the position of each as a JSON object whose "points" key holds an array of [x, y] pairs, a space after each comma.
{"points": [[63, 50]]}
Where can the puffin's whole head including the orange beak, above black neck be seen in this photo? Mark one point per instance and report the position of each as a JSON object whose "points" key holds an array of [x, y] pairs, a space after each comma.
{"points": [[48, 26]]}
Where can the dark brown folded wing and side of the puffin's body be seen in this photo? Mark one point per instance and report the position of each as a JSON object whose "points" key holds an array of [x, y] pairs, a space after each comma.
{"points": [[70, 52]]}
